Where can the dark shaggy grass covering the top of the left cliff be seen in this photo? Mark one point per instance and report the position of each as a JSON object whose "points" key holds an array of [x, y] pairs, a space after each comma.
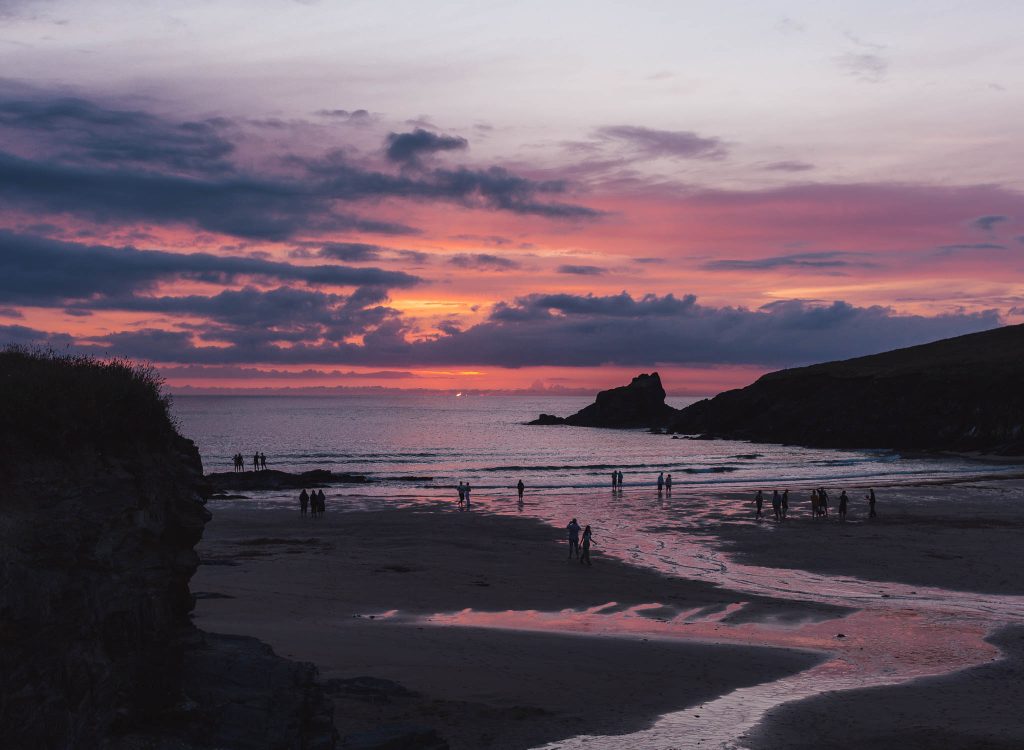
{"points": [[54, 403]]}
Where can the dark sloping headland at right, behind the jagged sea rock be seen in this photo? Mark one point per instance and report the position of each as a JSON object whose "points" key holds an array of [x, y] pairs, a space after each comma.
{"points": [[961, 394]]}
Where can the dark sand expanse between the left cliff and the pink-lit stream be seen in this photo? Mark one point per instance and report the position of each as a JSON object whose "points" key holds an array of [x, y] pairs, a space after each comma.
{"points": [[323, 592]]}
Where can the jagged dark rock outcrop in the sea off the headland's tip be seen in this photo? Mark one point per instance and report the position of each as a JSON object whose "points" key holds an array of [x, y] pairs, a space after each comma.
{"points": [[642, 404]]}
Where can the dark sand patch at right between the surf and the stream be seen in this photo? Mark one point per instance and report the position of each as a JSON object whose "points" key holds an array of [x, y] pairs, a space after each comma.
{"points": [[965, 537]]}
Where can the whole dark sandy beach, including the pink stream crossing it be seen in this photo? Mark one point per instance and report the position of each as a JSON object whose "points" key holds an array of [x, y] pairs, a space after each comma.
{"points": [[488, 635]]}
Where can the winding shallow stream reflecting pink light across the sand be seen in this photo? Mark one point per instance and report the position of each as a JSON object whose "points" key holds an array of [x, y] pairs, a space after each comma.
{"points": [[894, 634]]}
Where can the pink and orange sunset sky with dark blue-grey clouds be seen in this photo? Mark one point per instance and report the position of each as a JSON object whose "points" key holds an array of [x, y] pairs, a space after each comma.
{"points": [[487, 196]]}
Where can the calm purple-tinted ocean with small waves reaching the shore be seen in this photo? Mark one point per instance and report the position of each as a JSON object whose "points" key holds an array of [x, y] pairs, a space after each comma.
{"points": [[419, 446]]}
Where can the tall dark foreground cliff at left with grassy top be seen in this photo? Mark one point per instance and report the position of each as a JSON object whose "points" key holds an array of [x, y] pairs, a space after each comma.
{"points": [[101, 508]]}
